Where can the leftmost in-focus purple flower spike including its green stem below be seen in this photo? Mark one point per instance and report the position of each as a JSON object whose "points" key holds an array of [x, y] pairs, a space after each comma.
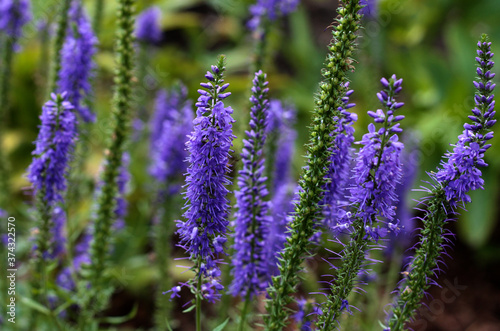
{"points": [[48, 173]]}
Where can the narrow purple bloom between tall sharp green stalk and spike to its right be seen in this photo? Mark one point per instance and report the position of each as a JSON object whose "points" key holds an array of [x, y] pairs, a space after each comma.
{"points": [[340, 162]]}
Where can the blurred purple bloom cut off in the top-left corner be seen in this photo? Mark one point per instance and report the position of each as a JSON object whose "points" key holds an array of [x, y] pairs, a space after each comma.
{"points": [[14, 14]]}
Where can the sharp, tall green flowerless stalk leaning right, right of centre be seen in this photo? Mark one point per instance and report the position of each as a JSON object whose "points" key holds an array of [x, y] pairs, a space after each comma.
{"points": [[307, 210]]}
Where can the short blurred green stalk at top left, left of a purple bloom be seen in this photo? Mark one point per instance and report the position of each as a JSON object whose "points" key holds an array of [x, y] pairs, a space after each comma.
{"points": [[55, 67]]}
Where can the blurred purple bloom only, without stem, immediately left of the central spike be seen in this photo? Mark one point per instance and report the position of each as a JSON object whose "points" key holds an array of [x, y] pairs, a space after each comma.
{"points": [[170, 126]]}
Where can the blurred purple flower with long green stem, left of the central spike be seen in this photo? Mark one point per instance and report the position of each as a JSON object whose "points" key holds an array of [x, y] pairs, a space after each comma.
{"points": [[170, 126]]}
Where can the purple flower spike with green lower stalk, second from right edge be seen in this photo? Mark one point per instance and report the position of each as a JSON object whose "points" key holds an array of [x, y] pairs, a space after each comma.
{"points": [[377, 172]]}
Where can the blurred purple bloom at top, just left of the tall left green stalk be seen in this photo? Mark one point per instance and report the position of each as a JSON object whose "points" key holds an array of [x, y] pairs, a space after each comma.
{"points": [[76, 61]]}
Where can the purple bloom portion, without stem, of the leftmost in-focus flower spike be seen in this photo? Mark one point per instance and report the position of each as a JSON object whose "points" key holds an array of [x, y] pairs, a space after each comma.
{"points": [[54, 145]]}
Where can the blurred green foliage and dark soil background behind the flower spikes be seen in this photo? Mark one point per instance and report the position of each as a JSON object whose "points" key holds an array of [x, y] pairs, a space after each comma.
{"points": [[429, 43]]}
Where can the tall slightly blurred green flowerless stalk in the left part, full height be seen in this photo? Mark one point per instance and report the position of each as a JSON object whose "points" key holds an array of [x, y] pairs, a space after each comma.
{"points": [[94, 300]]}
